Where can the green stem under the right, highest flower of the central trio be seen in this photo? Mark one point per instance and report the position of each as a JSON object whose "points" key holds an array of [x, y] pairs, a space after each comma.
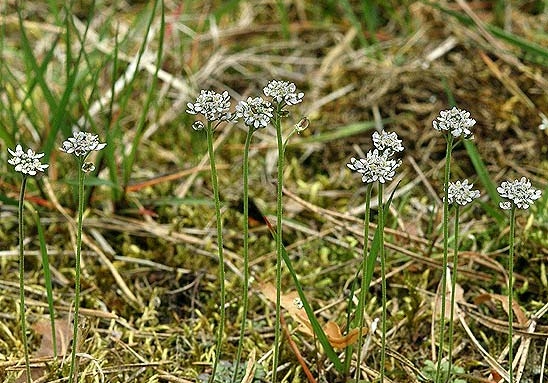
{"points": [[279, 243]]}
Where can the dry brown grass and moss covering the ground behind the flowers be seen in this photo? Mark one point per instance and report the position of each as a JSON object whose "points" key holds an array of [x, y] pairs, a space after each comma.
{"points": [[150, 270]]}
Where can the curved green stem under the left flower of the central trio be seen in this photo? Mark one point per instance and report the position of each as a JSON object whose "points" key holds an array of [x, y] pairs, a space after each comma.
{"points": [[215, 185]]}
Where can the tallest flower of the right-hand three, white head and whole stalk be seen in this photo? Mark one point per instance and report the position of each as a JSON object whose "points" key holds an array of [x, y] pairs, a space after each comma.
{"points": [[455, 124]]}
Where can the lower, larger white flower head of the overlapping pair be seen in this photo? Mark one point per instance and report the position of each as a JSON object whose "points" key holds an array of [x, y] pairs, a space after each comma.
{"points": [[375, 167]]}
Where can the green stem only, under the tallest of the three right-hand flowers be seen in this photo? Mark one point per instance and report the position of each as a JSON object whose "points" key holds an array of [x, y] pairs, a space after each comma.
{"points": [[445, 250]]}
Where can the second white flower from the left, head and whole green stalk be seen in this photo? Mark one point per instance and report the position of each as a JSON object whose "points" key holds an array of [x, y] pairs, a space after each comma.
{"points": [[81, 144]]}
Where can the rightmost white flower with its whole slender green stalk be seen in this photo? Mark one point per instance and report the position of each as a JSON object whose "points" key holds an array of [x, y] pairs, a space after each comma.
{"points": [[517, 194]]}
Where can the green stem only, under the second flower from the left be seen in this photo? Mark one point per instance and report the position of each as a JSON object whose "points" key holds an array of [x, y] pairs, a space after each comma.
{"points": [[77, 270]]}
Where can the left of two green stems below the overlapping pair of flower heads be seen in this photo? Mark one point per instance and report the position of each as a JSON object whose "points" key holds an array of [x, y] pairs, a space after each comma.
{"points": [[363, 287]]}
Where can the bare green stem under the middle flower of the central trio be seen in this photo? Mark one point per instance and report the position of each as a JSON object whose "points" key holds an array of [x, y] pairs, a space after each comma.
{"points": [[245, 252]]}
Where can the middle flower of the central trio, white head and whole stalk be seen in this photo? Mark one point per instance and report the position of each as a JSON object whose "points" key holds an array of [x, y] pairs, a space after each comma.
{"points": [[256, 113]]}
